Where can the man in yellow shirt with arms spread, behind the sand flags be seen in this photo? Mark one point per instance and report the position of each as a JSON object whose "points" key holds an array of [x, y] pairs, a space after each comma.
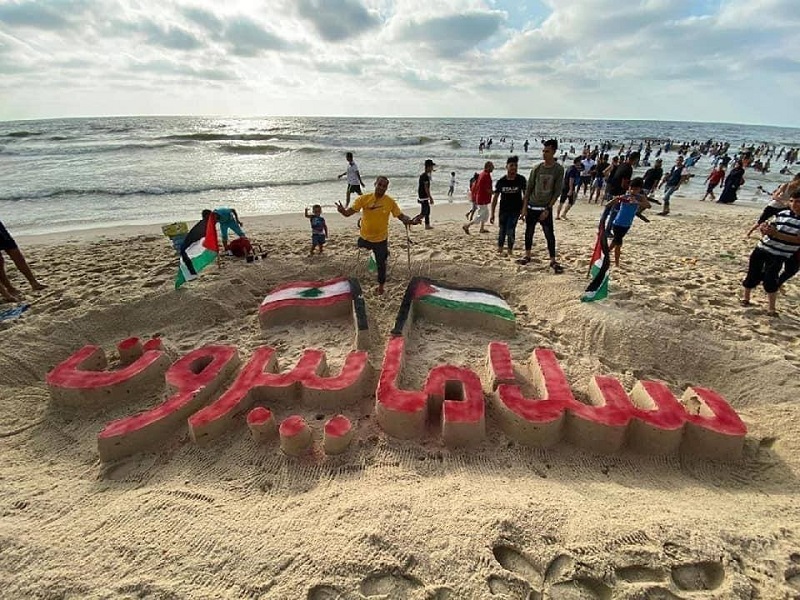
{"points": [[374, 235]]}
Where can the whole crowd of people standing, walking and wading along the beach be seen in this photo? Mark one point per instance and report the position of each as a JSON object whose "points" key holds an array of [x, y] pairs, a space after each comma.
{"points": [[548, 194]]}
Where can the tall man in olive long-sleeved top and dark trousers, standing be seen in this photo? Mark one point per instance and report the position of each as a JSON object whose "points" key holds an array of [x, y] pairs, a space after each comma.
{"points": [[541, 193]]}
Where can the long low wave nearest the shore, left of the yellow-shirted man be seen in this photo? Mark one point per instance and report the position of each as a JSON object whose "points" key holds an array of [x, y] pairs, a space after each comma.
{"points": [[159, 191]]}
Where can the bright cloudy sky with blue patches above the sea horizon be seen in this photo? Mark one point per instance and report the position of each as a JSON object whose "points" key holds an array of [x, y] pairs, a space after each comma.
{"points": [[695, 60]]}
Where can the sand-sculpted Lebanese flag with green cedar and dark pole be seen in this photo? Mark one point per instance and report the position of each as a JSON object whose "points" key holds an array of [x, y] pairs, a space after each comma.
{"points": [[317, 300]]}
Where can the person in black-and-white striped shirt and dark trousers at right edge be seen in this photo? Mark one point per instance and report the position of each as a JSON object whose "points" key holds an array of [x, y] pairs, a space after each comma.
{"points": [[780, 242]]}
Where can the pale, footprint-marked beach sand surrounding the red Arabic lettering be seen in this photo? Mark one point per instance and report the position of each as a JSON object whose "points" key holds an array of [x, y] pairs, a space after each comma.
{"points": [[406, 519]]}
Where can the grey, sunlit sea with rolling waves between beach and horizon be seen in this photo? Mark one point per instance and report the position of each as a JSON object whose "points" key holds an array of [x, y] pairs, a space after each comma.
{"points": [[65, 174]]}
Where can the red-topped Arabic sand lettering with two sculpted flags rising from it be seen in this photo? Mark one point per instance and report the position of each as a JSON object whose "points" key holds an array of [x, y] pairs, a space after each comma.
{"points": [[650, 419]]}
